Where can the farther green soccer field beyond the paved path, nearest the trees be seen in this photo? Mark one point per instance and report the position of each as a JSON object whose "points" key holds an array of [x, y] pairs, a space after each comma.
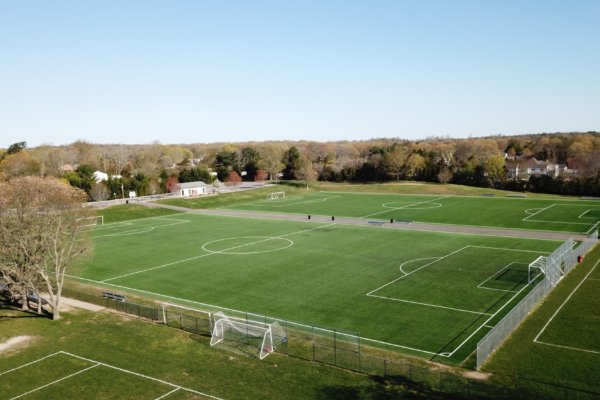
{"points": [[577, 216]]}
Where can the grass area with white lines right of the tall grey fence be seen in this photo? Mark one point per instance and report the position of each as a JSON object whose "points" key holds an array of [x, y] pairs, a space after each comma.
{"points": [[575, 327]]}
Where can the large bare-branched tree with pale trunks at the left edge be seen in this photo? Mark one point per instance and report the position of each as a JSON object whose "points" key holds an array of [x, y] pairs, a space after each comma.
{"points": [[40, 236]]}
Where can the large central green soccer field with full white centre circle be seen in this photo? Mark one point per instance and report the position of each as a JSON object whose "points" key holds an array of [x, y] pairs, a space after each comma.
{"points": [[424, 293]]}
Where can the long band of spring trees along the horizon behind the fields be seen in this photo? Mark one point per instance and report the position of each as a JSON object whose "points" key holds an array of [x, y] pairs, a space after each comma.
{"points": [[156, 168]]}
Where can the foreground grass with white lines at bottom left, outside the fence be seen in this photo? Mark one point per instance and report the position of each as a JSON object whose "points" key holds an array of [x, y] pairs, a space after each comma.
{"points": [[171, 355]]}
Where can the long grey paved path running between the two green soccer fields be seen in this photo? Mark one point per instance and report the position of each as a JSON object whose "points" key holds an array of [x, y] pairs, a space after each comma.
{"points": [[417, 226]]}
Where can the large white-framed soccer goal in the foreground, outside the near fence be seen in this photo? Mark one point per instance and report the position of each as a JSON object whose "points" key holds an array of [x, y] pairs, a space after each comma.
{"points": [[260, 338]]}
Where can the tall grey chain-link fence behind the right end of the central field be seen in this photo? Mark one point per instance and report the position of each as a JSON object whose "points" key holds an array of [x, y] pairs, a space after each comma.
{"points": [[561, 261]]}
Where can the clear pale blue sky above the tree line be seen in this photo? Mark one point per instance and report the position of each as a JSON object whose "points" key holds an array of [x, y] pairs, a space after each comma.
{"points": [[204, 71]]}
